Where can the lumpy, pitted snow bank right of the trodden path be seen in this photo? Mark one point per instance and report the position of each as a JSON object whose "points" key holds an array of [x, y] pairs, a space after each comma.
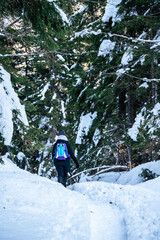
{"points": [[139, 207]]}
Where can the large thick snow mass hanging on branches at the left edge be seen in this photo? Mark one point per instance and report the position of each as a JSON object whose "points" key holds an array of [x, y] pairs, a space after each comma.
{"points": [[9, 101]]}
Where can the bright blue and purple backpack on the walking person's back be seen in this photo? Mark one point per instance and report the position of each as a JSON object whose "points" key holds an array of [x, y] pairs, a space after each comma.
{"points": [[61, 151]]}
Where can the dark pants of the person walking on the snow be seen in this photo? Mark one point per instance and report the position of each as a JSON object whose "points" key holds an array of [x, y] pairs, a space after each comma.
{"points": [[62, 171]]}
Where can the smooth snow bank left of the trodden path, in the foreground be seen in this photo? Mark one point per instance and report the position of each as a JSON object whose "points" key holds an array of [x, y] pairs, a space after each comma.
{"points": [[32, 207]]}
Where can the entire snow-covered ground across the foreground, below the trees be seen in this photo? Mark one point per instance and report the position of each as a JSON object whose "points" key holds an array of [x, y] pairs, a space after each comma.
{"points": [[33, 207]]}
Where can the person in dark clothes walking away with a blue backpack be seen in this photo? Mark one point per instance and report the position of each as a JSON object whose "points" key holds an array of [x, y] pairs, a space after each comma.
{"points": [[61, 155]]}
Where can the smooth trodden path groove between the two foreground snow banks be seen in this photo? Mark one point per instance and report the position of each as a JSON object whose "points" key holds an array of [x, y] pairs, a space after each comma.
{"points": [[106, 222]]}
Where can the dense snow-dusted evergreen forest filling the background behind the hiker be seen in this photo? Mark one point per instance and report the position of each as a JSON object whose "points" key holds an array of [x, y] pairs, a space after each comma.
{"points": [[91, 68]]}
